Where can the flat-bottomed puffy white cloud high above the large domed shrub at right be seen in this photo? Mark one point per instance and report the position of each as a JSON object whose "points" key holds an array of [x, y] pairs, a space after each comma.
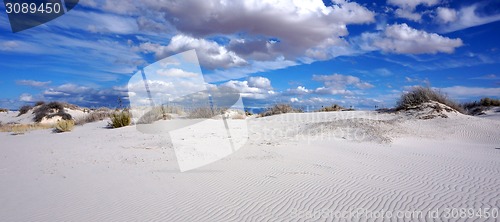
{"points": [[403, 39]]}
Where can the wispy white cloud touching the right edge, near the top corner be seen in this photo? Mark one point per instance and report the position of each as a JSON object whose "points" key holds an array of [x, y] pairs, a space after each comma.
{"points": [[466, 17]]}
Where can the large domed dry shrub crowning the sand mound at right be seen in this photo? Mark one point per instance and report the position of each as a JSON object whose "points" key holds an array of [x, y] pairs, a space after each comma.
{"points": [[419, 95]]}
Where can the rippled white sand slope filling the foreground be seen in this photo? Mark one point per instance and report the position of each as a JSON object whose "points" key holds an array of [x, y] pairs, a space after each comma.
{"points": [[292, 165]]}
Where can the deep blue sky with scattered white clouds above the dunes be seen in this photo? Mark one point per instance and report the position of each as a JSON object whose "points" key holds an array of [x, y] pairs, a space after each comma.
{"points": [[308, 53]]}
